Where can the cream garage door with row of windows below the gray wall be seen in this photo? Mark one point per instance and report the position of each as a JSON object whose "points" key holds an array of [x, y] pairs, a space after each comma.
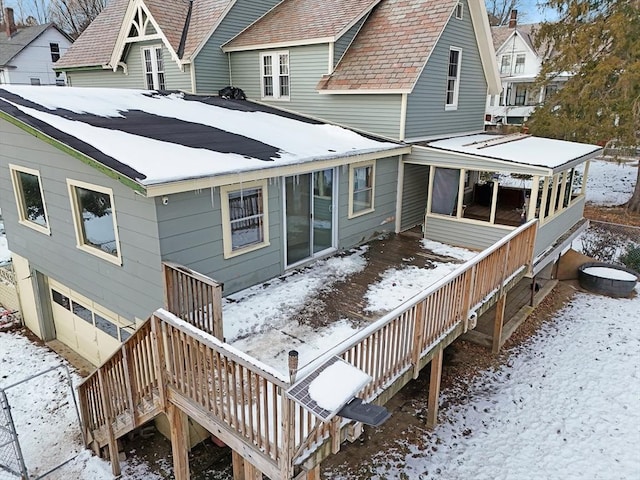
{"points": [[84, 326]]}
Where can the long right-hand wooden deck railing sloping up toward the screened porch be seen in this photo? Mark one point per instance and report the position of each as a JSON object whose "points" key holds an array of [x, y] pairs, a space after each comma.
{"points": [[394, 344]]}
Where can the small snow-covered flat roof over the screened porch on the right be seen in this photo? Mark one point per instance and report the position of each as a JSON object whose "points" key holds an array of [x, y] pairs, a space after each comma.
{"points": [[549, 154]]}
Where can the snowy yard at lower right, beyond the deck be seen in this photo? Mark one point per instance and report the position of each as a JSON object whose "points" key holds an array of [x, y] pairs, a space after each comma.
{"points": [[566, 406]]}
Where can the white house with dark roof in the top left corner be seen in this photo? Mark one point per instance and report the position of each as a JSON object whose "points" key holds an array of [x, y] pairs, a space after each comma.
{"points": [[27, 54]]}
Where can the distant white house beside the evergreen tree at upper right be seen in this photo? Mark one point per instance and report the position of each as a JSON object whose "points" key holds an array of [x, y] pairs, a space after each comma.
{"points": [[519, 61]]}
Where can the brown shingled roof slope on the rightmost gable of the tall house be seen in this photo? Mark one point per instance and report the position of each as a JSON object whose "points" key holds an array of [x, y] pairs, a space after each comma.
{"points": [[393, 46]]}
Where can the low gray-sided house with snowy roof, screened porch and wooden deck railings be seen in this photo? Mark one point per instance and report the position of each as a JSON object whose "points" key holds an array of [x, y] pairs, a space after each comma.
{"points": [[117, 202]]}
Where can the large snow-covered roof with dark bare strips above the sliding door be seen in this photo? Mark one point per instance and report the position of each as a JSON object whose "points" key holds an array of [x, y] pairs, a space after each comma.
{"points": [[157, 138]]}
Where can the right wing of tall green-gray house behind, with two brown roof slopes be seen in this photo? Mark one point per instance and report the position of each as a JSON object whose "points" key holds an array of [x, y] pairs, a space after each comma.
{"points": [[405, 69]]}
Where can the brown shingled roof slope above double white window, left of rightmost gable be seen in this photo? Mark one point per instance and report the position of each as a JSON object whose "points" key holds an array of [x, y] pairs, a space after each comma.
{"points": [[301, 22]]}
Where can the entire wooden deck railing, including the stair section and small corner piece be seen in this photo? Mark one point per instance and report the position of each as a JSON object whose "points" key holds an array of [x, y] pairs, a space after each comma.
{"points": [[243, 400]]}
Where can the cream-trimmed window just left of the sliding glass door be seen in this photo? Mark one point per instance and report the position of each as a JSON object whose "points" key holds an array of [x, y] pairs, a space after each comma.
{"points": [[245, 221]]}
